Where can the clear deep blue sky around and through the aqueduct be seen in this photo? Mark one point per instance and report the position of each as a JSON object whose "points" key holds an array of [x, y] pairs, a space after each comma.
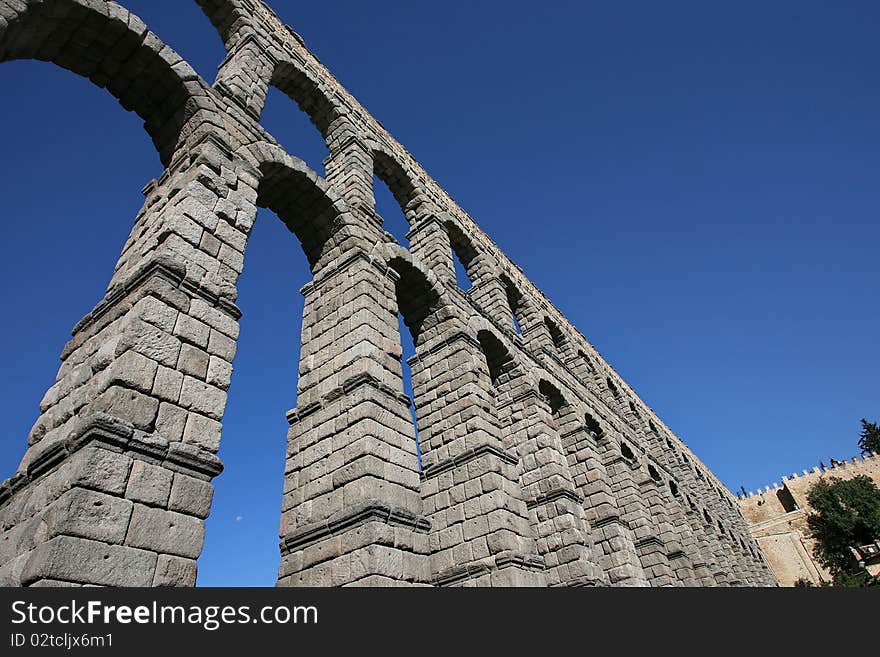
{"points": [[695, 185]]}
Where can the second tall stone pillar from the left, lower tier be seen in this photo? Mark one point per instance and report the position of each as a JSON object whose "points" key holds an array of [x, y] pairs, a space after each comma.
{"points": [[352, 512]]}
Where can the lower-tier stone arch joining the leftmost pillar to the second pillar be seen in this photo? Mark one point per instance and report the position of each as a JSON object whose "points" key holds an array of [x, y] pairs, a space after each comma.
{"points": [[302, 200]]}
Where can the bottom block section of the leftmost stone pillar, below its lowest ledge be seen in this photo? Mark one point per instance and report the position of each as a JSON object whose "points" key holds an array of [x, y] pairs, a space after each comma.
{"points": [[109, 506]]}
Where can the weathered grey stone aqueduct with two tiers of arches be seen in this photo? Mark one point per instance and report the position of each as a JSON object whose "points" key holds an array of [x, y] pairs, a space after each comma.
{"points": [[540, 465]]}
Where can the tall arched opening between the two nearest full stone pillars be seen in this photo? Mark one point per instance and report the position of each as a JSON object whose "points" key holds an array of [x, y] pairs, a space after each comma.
{"points": [[241, 545]]}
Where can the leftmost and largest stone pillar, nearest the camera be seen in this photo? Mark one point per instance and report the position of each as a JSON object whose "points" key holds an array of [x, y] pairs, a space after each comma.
{"points": [[121, 458]]}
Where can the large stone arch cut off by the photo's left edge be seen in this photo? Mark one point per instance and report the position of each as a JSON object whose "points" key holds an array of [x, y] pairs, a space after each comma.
{"points": [[114, 49]]}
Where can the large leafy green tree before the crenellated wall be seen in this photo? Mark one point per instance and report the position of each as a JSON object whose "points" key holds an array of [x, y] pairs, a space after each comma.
{"points": [[845, 513]]}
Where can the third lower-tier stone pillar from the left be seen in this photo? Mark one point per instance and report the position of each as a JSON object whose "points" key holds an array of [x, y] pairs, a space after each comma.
{"points": [[480, 531]]}
